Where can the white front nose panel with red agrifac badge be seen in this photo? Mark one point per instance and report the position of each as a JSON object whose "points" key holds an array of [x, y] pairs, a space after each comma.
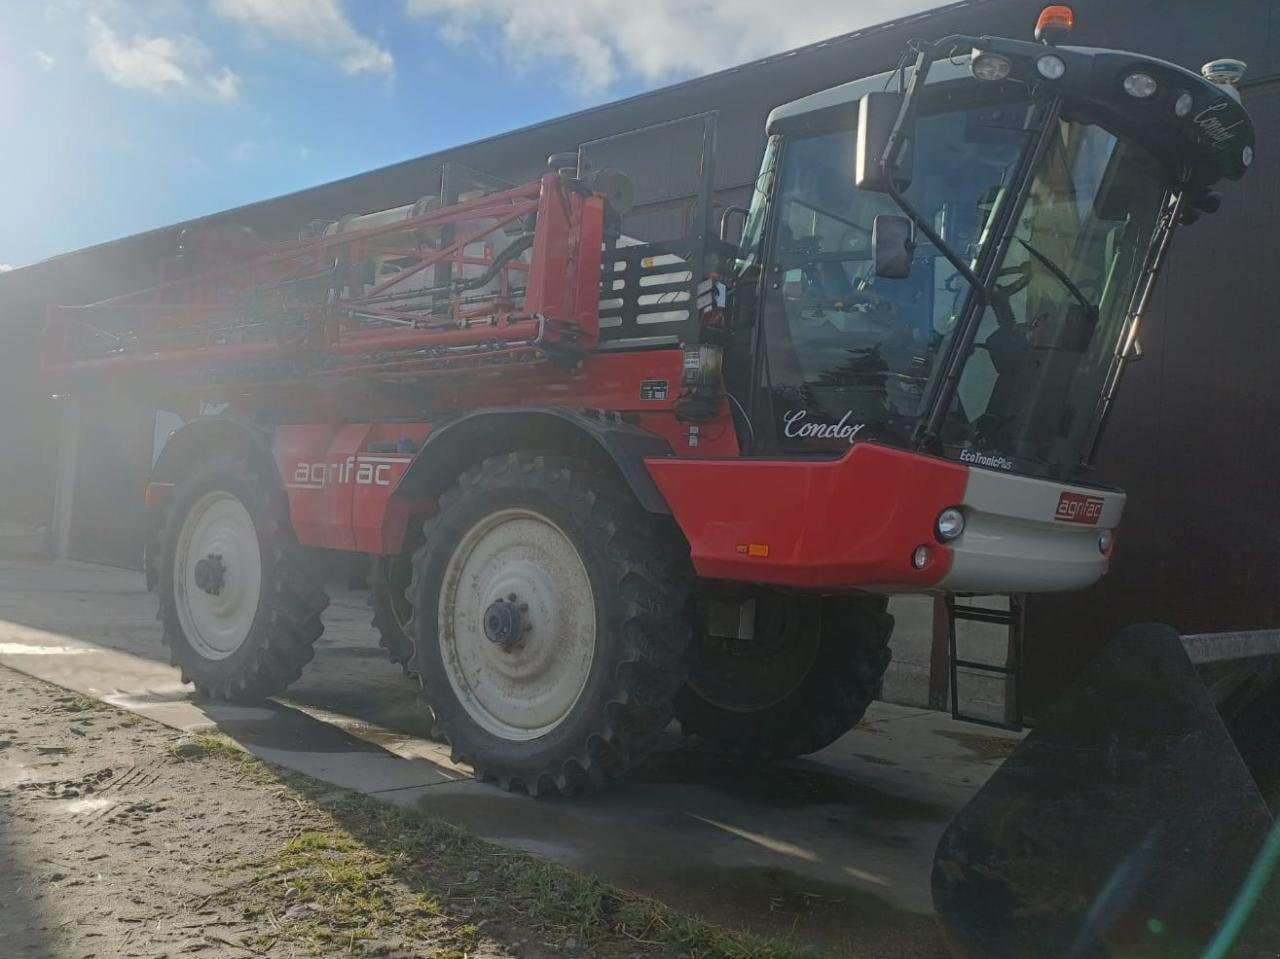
{"points": [[1023, 536]]}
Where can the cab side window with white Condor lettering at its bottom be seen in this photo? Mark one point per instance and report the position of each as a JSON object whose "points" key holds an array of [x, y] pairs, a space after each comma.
{"points": [[849, 355]]}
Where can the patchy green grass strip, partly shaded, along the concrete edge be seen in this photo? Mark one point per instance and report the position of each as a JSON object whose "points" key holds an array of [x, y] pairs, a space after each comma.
{"points": [[373, 871]]}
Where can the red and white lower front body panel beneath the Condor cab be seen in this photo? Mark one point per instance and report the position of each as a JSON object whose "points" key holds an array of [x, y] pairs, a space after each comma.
{"points": [[856, 523]]}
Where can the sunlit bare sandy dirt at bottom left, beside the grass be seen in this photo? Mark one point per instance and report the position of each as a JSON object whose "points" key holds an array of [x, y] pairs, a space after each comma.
{"points": [[120, 838]]}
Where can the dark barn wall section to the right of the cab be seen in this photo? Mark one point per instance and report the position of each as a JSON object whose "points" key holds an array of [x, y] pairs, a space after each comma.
{"points": [[1195, 441]]}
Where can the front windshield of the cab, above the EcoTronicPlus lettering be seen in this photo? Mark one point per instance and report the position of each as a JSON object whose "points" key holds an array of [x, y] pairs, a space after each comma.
{"points": [[1034, 381]]}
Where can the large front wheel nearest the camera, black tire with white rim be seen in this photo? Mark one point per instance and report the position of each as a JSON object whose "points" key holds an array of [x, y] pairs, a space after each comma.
{"points": [[550, 623]]}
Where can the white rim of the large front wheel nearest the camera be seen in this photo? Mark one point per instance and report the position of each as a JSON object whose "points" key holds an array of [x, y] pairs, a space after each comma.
{"points": [[523, 689]]}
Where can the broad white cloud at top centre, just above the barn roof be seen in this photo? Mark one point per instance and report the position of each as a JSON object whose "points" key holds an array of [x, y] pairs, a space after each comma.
{"points": [[657, 40]]}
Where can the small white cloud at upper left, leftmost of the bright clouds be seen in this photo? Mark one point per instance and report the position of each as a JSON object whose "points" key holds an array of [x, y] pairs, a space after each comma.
{"points": [[158, 65]]}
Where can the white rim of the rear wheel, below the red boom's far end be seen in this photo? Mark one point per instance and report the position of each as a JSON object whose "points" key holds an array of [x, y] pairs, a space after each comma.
{"points": [[218, 623]]}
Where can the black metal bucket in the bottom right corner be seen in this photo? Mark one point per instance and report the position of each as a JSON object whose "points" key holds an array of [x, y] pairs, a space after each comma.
{"points": [[1124, 825]]}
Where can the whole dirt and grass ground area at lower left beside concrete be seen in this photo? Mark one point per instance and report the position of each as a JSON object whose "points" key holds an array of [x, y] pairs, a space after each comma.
{"points": [[122, 838]]}
